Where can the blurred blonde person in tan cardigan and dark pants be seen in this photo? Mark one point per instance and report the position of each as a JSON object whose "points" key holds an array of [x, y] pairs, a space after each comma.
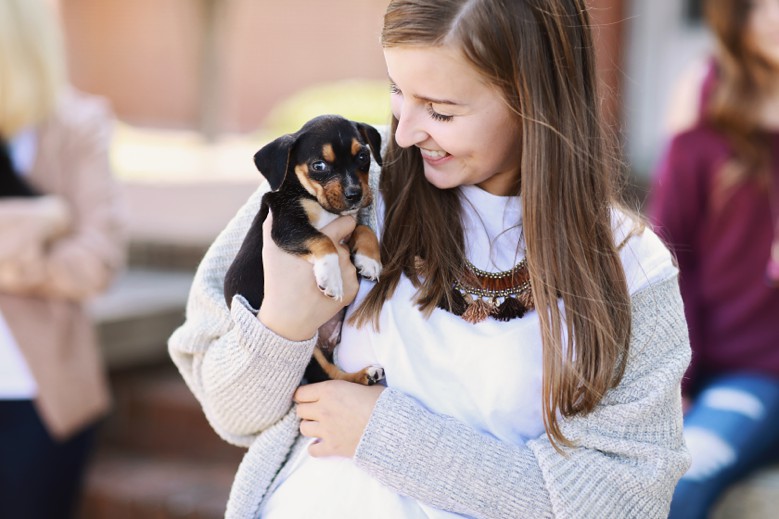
{"points": [[57, 250]]}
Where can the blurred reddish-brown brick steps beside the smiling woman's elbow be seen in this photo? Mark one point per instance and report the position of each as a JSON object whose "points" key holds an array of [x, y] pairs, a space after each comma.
{"points": [[157, 457]]}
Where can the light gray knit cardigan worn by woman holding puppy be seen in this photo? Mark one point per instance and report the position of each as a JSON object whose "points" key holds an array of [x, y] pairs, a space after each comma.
{"points": [[628, 455]]}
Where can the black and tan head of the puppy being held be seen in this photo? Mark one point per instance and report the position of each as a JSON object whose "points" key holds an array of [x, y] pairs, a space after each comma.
{"points": [[329, 157]]}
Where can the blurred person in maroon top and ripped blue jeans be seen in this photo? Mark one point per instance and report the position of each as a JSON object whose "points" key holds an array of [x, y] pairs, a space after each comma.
{"points": [[716, 202]]}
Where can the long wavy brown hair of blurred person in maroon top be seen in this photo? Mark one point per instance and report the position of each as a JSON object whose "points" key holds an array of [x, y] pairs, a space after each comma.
{"points": [[743, 78]]}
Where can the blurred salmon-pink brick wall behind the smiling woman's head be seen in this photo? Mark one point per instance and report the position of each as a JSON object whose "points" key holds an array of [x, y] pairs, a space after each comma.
{"points": [[220, 65]]}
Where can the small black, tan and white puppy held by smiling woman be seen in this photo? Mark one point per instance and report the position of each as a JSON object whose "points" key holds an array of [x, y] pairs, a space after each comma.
{"points": [[315, 175]]}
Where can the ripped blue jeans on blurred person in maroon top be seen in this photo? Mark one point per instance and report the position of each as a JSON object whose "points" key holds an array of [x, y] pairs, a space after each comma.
{"points": [[732, 429]]}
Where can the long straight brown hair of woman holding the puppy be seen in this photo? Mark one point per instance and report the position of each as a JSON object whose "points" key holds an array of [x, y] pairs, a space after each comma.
{"points": [[539, 54]]}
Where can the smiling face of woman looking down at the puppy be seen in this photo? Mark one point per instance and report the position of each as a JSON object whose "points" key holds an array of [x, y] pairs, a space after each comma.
{"points": [[464, 131]]}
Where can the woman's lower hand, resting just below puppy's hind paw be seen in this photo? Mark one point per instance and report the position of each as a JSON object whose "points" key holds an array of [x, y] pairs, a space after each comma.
{"points": [[336, 412]]}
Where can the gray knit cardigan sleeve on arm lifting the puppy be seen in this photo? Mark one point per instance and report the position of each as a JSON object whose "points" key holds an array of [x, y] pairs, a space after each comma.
{"points": [[242, 373]]}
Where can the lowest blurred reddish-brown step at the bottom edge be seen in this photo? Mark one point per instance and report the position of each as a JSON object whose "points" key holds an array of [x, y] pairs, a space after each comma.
{"points": [[120, 486]]}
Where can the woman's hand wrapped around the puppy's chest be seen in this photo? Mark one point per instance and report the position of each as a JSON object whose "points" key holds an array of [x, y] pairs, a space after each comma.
{"points": [[293, 306]]}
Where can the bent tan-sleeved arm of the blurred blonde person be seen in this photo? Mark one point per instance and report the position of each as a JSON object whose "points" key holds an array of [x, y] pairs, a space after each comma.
{"points": [[77, 254]]}
